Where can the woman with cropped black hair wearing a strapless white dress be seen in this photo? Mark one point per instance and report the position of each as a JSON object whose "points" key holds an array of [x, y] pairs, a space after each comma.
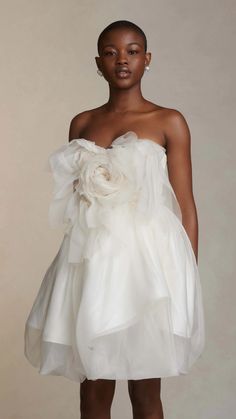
{"points": [[122, 298]]}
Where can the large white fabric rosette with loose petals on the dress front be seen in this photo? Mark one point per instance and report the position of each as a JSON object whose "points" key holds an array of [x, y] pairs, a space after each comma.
{"points": [[95, 189]]}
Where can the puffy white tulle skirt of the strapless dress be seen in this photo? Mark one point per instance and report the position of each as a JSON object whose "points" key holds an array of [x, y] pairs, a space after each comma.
{"points": [[132, 309]]}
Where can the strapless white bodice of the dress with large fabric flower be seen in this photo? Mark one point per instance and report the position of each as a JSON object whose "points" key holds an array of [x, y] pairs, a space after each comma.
{"points": [[95, 186]]}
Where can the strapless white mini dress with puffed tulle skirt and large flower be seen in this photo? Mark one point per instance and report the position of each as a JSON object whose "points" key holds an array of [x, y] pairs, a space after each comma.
{"points": [[122, 298]]}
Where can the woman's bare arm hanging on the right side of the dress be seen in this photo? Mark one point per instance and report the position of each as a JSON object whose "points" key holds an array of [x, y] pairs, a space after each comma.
{"points": [[178, 141]]}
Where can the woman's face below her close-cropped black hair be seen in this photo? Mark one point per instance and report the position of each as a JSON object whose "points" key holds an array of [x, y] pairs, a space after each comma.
{"points": [[122, 57]]}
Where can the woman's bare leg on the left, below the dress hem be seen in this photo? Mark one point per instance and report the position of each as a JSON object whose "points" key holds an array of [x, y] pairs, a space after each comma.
{"points": [[96, 398]]}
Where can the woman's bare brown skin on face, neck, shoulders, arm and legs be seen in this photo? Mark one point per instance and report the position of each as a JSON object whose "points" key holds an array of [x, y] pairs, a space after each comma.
{"points": [[127, 110]]}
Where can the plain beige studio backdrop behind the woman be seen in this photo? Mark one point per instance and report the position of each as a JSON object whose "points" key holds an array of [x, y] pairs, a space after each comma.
{"points": [[48, 74]]}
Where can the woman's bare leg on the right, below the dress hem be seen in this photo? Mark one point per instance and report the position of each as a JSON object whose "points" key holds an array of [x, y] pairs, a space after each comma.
{"points": [[145, 396]]}
